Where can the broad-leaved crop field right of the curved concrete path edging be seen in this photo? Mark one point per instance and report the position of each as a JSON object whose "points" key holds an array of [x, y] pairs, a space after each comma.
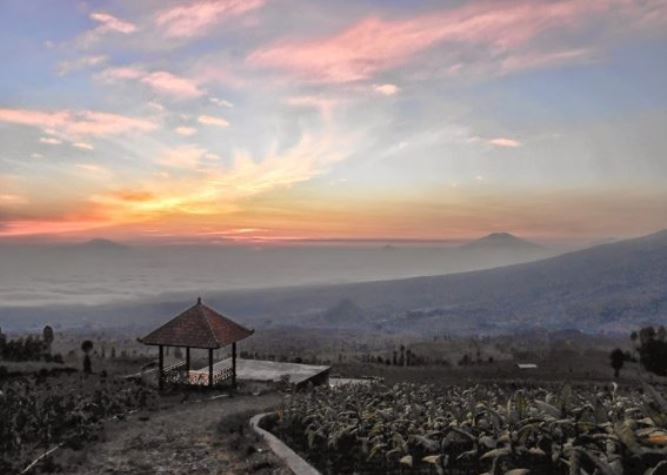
{"points": [[481, 429]]}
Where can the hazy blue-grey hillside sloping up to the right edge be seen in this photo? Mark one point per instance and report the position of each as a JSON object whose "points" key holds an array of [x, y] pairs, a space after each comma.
{"points": [[607, 288]]}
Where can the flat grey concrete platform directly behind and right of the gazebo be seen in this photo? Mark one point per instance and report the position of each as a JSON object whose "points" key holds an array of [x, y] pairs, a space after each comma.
{"points": [[272, 371]]}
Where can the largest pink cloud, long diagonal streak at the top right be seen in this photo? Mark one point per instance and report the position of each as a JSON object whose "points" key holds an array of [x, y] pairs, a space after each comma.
{"points": [[374, 44]]}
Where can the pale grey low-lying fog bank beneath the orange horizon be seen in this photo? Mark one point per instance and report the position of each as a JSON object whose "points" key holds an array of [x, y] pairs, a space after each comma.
{"points": [[102, 272]]}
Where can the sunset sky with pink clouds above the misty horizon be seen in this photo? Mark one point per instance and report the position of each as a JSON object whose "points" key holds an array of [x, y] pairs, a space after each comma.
{"points": [[290, 120]]}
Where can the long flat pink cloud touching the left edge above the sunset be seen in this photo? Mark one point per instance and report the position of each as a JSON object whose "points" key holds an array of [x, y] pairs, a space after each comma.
{"points": [[77, 123]]}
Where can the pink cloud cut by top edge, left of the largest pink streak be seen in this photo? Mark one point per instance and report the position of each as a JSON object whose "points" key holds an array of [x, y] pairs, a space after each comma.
{"points": [[198, 17]]}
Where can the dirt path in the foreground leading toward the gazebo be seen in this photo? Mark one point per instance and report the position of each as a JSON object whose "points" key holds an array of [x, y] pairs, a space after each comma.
{"points": [[207, 437]]}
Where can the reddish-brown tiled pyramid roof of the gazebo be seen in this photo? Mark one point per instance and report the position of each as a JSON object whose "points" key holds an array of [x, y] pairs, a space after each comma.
{"points": [[198, 327]]}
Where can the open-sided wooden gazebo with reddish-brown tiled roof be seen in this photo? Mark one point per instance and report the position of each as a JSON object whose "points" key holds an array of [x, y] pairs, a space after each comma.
{"points": [[198, 327]]}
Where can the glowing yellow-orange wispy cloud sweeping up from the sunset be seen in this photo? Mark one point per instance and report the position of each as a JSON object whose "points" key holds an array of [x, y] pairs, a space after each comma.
{"points": [[217, 191]]}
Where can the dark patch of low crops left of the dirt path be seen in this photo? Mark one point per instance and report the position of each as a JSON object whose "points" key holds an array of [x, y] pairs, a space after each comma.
{"points": [[37, 413]]}
